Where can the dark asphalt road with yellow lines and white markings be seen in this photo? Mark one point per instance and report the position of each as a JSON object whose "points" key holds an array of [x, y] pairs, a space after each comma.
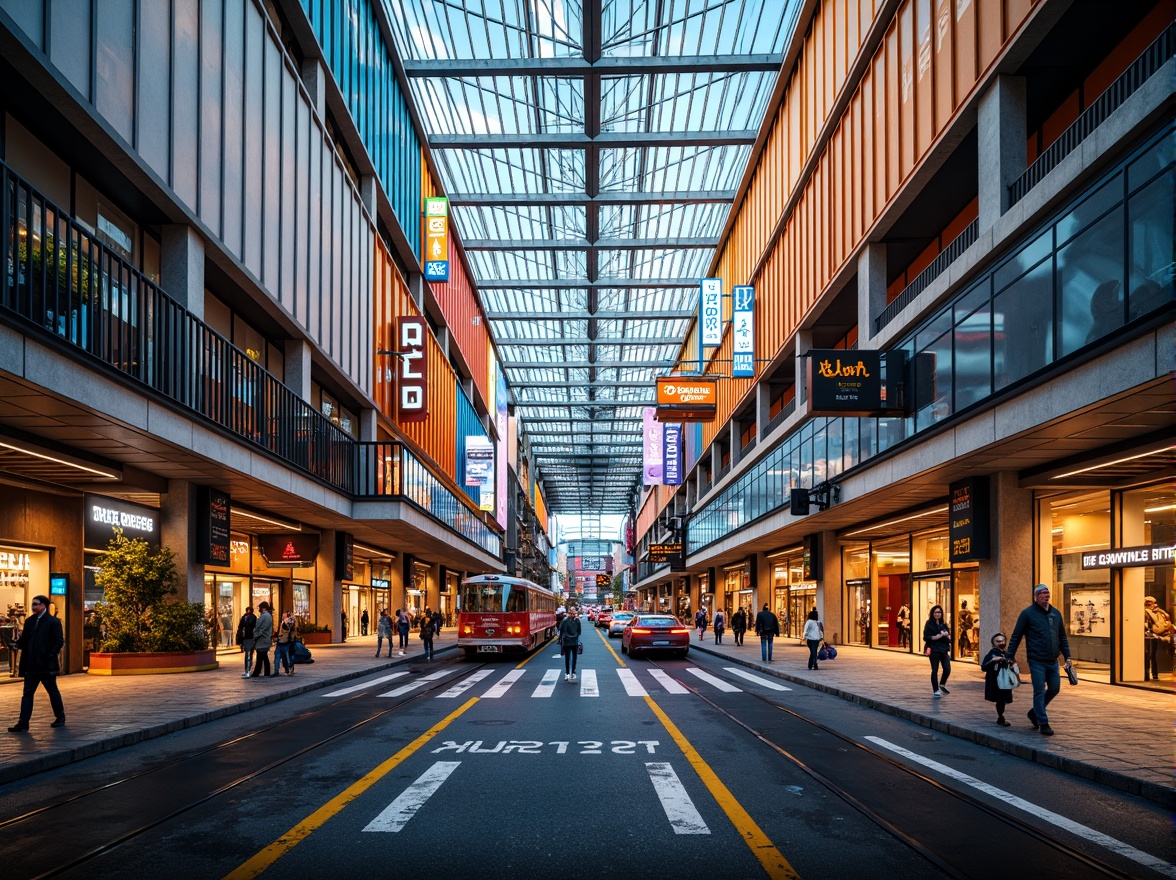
{"points": [[651, 769]]}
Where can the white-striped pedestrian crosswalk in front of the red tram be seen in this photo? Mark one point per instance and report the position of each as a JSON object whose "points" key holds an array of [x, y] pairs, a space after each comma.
{"points": [[553, 683]]}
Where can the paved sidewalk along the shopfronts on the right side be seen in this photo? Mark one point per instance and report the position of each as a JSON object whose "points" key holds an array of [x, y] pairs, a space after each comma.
{"points": [[1120, 737]]}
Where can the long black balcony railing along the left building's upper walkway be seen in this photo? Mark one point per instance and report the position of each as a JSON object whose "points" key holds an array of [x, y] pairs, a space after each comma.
{"points": [[61, 282]]}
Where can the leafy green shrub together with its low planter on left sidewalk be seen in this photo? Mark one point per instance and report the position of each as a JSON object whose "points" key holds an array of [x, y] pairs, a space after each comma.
{"points": [[145, 628]]}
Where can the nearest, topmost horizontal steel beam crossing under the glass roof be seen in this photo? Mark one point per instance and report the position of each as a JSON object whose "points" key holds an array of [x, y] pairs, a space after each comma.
{"points": [[613, 66]]}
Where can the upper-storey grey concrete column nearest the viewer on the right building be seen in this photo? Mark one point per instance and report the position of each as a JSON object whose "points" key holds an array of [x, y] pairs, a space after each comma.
{"points": [[1004, 135]]}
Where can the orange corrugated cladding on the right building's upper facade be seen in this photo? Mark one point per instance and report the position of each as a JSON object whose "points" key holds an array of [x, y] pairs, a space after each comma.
{"points": [[930, 63]]}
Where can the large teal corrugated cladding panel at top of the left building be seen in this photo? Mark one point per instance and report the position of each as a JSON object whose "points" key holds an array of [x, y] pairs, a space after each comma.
{"points": [[362, 64]]}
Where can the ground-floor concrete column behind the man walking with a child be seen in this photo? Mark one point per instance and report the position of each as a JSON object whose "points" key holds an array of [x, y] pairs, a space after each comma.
{"points": [[1007, 578]]}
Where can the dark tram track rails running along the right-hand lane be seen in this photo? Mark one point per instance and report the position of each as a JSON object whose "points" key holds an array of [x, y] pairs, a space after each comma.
{"points": [[917, 843]]}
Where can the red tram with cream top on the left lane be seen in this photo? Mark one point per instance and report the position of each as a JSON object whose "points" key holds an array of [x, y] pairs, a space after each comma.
{"points": [[499, 615]]}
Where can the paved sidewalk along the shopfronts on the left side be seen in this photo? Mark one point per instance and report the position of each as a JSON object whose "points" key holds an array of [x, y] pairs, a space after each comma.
{"points": [[109, 712]]}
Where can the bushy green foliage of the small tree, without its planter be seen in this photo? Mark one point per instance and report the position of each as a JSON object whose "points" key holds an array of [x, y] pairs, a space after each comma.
{"points": [[141, 611]]}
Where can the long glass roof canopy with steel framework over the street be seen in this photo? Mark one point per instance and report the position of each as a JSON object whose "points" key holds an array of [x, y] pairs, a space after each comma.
{"points": [[591, 151]]}
